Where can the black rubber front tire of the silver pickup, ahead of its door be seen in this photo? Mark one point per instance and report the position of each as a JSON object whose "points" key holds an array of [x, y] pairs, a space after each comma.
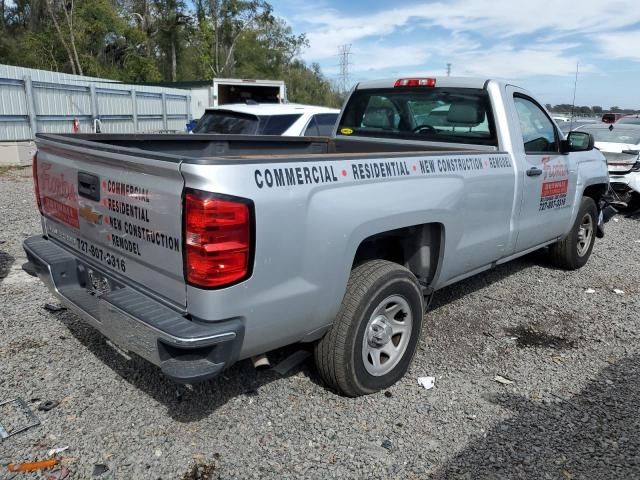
{"points": [[568, 253]]}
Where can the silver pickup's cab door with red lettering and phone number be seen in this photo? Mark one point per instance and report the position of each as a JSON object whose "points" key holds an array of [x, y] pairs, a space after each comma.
{"points": [[548, 178]]}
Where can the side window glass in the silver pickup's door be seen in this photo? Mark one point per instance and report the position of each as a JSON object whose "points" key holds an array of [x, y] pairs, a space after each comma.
{"points": [[538, 132]]}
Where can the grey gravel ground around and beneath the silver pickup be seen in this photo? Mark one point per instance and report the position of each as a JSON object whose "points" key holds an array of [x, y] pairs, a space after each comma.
{"points": [[571, 411]]}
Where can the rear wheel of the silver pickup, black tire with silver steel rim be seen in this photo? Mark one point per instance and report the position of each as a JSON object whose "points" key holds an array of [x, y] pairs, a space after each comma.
{"points": [[373, 339]]}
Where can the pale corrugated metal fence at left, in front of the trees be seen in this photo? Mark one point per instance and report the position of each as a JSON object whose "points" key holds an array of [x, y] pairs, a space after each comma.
{"points": [[37, 101]]}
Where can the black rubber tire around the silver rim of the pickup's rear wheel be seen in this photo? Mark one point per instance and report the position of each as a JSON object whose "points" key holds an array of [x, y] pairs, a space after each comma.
{"points": [[339, 354]]}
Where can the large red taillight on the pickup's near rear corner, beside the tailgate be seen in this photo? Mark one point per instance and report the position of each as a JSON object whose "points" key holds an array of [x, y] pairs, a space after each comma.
{"points": [[217, 240]]}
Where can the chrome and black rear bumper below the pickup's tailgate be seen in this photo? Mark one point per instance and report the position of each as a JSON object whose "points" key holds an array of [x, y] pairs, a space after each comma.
{"points": [[187, 351]]}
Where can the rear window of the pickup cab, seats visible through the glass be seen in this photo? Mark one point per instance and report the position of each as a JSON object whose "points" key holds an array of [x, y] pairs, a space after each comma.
{"points": [[434, 114]]}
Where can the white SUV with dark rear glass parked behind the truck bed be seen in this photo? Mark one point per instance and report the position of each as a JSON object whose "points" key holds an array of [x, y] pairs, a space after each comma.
{"points": [[289, 119]]}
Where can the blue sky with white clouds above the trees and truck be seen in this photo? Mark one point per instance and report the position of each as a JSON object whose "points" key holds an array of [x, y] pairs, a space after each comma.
{"points": [[535, 43]]}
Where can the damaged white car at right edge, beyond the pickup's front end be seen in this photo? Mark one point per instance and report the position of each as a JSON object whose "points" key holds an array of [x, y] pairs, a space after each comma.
{"points": [[620, 144]]}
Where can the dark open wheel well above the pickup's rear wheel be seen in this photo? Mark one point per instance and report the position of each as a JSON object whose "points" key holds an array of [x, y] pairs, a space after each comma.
{"points": [[416, 247]]}
